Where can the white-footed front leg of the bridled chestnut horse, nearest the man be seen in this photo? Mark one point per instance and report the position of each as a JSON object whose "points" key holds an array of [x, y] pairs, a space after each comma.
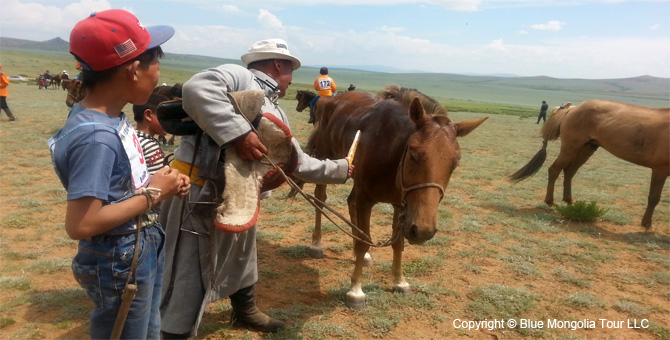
{"points": [[360, 215]]}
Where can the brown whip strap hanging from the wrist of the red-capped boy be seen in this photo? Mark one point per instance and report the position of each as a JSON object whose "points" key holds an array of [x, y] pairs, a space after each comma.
{"points": [[130, 290]]}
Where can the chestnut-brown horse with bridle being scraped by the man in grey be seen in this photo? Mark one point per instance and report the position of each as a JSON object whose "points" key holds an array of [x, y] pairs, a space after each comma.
{"points": [[406, 156]]}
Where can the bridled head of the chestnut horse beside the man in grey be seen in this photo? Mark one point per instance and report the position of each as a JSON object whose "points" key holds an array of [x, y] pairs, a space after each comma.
{"points": [[431, 156]]}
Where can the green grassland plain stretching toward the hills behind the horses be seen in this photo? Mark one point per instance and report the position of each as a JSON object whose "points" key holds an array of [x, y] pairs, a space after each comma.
{"points": [[519, 96]]}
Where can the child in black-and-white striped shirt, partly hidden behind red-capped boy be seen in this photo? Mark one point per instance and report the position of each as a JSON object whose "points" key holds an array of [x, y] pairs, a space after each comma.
{"points": [[147, 127]]}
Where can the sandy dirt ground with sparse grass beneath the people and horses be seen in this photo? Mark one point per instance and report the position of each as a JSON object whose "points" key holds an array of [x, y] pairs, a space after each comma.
{"points": [[617, 272]]}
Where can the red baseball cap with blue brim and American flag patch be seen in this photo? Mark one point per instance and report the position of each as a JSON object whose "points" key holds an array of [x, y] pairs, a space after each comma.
{"points": [[110, 38]]}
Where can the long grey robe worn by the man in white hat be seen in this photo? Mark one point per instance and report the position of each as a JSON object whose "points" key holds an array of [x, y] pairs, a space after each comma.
{"points": [[204, 264]]}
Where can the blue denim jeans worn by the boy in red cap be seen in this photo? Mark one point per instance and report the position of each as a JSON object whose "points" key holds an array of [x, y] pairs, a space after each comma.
{"points": [[101, 267]]}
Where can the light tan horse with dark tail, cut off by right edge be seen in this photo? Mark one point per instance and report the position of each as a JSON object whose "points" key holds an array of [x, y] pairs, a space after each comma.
{"points": [[636, 134]]}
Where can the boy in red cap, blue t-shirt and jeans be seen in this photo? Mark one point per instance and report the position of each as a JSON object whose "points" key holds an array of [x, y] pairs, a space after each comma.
{"points": [[96, 156]]}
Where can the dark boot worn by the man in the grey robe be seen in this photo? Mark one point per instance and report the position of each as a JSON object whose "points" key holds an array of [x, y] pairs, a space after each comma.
{"points": [[246, 312]]}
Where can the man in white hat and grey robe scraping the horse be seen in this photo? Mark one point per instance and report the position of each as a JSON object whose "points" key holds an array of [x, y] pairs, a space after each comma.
{"points": [[205, 264]]}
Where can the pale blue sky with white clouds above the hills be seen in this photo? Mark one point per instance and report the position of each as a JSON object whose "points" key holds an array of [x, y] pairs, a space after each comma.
{"points": [[587, 39]]}
